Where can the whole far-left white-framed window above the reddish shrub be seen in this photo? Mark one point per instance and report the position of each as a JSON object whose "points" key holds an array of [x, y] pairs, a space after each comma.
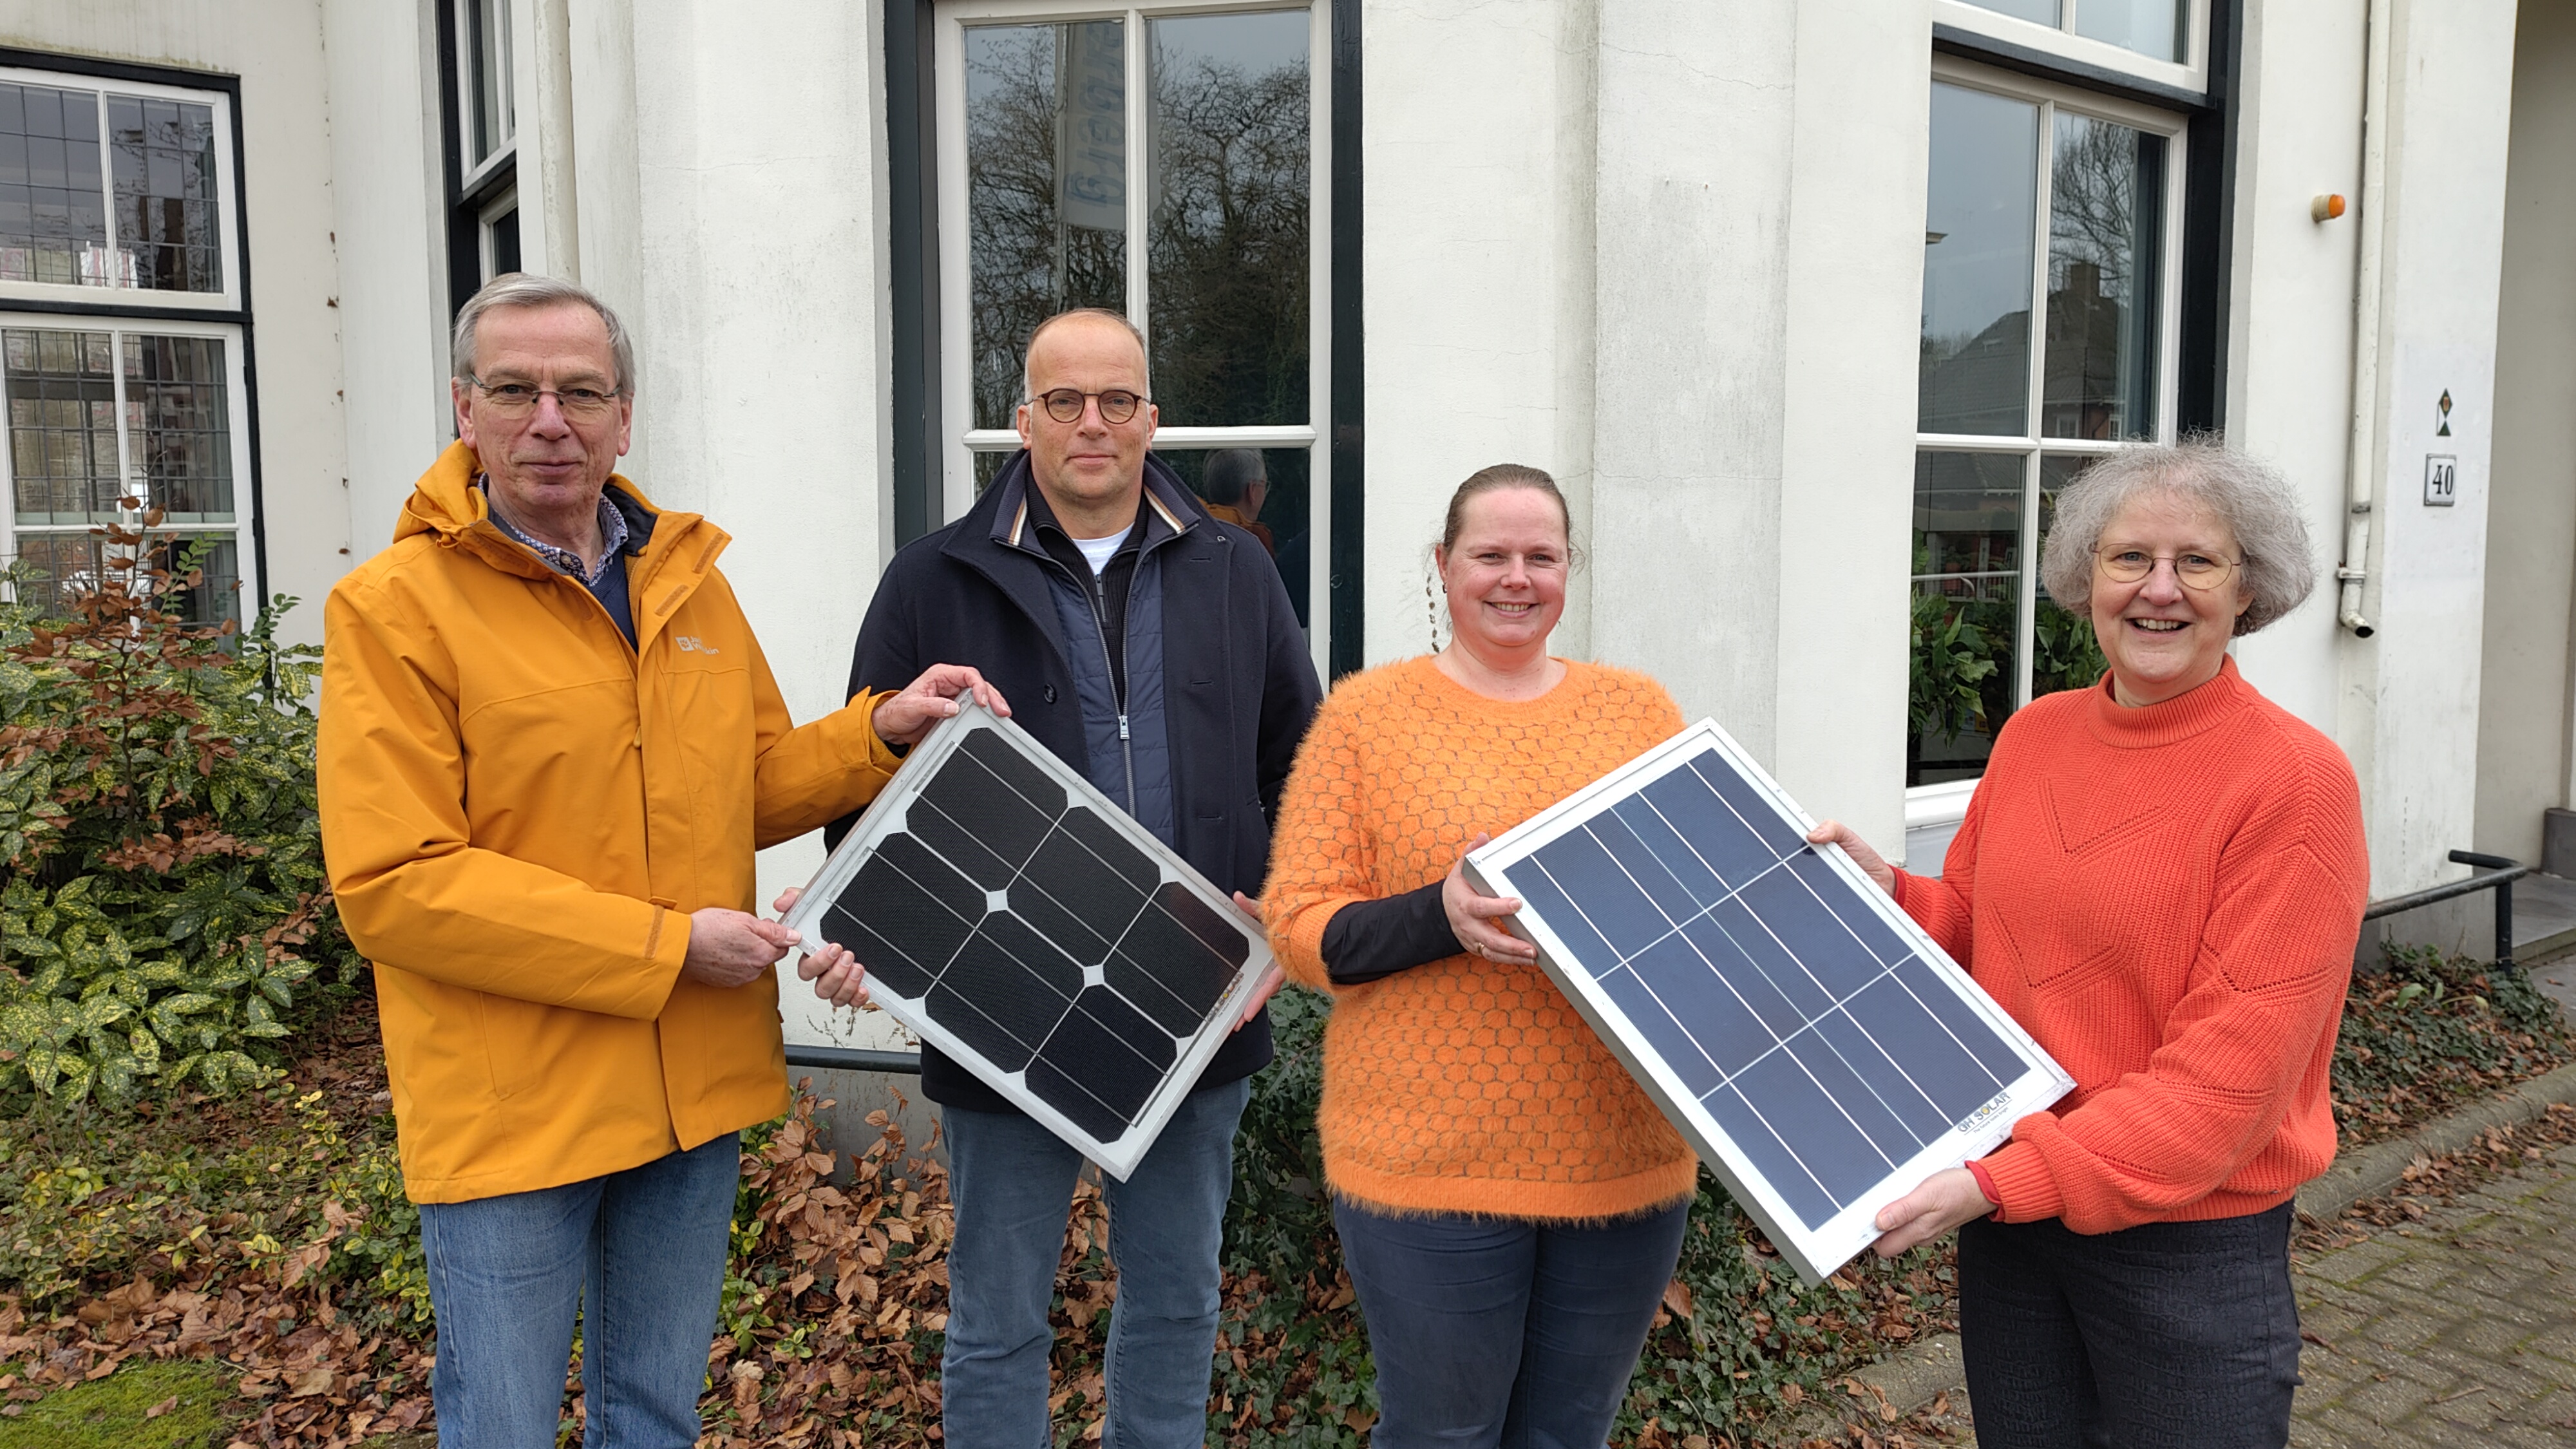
{"points": [[120, 331]]}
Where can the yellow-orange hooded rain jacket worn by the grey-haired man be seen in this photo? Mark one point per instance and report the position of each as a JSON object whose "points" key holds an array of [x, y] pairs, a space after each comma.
{"points": [[519, 813]]}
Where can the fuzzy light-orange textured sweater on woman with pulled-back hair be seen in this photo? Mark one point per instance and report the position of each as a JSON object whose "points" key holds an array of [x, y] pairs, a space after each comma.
{"points": [[1462, 1084]]}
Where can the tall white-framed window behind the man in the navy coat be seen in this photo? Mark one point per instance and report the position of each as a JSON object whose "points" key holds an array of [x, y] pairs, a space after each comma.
{"points": [[1160, 161]]}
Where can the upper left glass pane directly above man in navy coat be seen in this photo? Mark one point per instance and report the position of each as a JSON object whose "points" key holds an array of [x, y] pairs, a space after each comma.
{"points": [[1045, 190]]}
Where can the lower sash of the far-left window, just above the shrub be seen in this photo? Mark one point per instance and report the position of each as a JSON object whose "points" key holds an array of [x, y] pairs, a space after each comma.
{"points": [[107, 416]]}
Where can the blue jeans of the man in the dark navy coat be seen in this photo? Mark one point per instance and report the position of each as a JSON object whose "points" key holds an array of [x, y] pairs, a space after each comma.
{"points": [[1014, 1185]]}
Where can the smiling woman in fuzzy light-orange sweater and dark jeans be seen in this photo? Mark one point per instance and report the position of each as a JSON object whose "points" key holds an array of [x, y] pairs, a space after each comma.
{"points": [[1511, 1203]]}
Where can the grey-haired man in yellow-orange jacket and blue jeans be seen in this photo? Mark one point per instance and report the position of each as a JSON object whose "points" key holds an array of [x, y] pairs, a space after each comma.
{"points": [[550, 749]]}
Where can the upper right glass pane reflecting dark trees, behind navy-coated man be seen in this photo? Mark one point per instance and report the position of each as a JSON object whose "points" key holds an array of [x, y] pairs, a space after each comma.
{"points": [[1230, 228]]}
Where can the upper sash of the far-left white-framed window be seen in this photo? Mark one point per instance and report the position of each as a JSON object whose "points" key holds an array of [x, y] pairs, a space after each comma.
{"points": [[115, 187]]}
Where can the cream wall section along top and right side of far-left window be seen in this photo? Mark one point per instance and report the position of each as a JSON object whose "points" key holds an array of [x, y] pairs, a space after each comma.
{"points": [[287, 177]]}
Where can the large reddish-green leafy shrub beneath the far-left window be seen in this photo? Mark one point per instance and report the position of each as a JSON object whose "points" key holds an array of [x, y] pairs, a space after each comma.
{"points": [[161, 857]]}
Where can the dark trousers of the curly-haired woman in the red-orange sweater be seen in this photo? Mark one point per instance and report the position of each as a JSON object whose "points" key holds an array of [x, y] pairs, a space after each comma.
{"points": [[2173, 1334]]}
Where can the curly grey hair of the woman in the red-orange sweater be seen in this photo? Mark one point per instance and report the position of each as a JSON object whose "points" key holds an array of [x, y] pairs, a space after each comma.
{"points": [[2250, 496]]}
